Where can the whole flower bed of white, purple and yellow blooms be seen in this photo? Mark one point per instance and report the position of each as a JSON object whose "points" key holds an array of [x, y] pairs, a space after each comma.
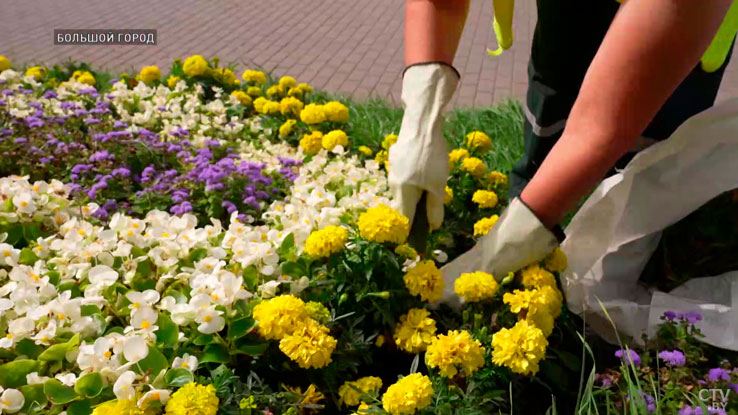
{"points": [[198, 244]]}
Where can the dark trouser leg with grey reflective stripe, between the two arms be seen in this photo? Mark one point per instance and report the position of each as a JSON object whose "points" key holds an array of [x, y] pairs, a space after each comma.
{"points": [[564, 44]]}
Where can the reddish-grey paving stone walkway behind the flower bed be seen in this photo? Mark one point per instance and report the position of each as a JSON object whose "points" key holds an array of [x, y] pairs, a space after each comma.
{"points": [[348, 46]]}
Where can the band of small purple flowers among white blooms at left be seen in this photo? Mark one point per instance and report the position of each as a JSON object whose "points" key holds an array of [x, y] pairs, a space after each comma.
{"points": [[134, 169]]}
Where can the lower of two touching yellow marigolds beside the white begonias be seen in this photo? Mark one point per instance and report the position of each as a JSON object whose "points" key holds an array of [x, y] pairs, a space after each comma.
{"points": [[309, 345]]}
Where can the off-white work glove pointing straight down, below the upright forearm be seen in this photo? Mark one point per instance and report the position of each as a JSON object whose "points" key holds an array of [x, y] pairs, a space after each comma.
{"points": [[418, 161]]}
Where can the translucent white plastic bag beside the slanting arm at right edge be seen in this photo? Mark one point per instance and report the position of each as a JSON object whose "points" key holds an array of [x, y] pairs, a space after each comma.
{"points": [[613, 235]]}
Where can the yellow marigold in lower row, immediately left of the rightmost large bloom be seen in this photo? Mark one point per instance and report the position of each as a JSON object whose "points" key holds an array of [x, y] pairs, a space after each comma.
{"points": [[453, 351]]}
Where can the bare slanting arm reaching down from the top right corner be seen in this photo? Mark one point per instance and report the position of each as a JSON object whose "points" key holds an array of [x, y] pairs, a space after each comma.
{"points": [[651, 46]]}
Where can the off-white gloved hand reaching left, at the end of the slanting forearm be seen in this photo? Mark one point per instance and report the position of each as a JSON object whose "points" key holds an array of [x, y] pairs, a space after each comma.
{"points": [[516, 240]]}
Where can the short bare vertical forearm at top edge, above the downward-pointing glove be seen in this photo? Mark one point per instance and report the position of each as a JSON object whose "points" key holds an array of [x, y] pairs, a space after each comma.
{"points": [[433, 29]]}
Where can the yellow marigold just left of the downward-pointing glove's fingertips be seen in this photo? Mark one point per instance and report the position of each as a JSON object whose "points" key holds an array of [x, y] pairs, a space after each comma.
{"points": [[383, 224]]}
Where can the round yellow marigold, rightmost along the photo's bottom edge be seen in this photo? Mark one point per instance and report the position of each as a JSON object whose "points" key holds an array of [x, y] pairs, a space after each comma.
{"points": [[409, 394]]}
